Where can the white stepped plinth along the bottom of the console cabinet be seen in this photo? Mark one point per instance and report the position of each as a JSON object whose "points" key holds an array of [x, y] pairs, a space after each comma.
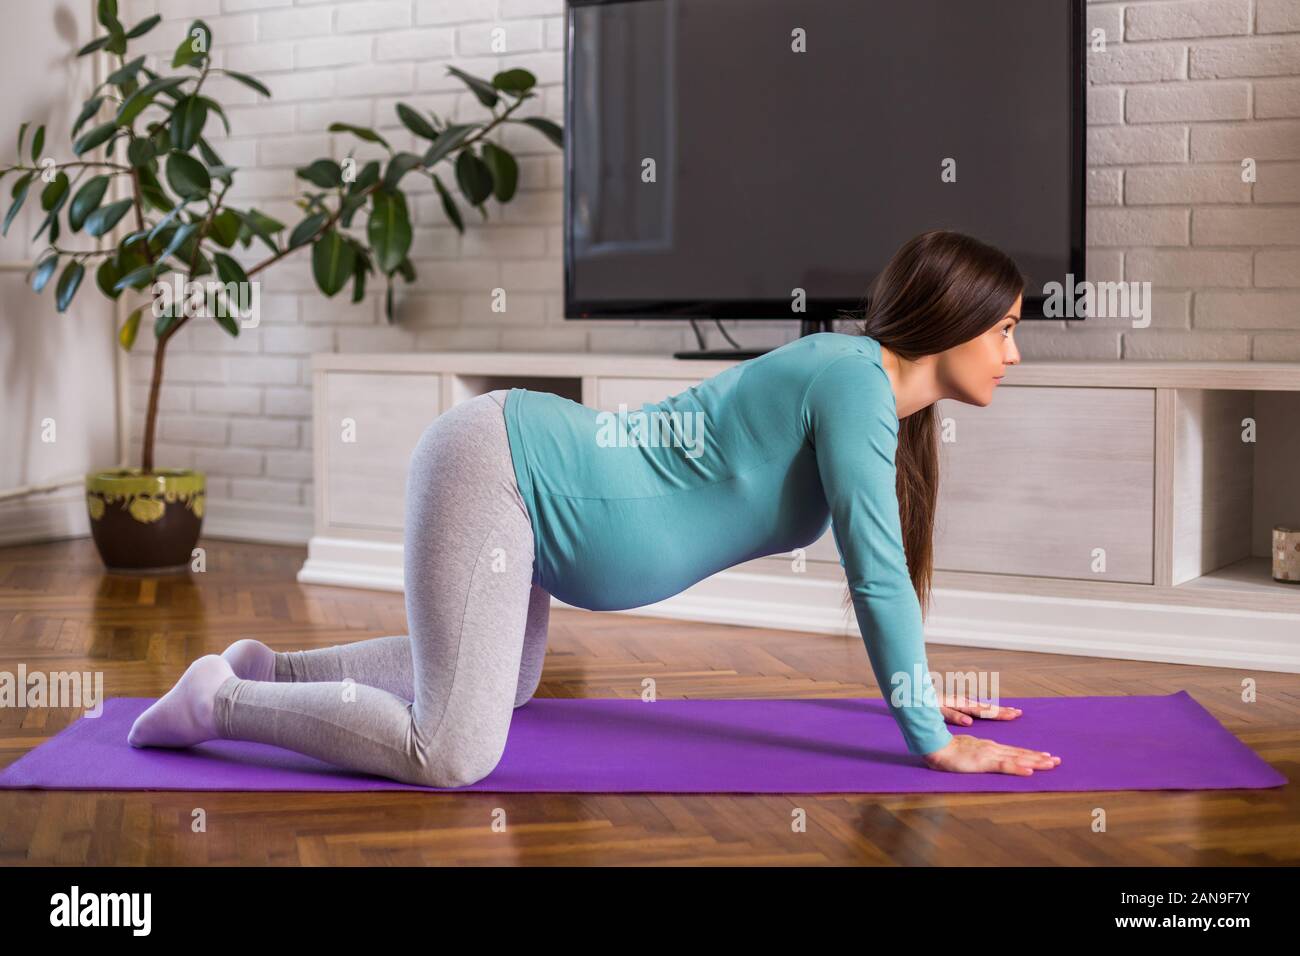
{"points": [[1084, 628]]}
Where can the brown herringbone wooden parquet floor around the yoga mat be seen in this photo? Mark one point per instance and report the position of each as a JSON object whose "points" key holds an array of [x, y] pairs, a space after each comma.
{"points": [[59, 611]]}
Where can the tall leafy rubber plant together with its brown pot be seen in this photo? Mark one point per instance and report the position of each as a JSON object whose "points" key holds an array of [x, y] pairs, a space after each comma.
{"points": [[148, 185]]}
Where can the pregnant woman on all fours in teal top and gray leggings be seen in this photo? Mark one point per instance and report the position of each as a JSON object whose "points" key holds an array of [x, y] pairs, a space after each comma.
{"points": [[515, 496]]}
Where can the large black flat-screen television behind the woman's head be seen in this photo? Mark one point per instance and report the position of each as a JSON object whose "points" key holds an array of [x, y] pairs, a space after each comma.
{"points": [[722, 154]]}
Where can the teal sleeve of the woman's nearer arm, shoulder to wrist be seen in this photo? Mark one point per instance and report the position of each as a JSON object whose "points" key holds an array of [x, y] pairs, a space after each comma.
{"points": [[851, 416]]}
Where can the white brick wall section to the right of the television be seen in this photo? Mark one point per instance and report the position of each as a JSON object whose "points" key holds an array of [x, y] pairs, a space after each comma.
{"points": [[1184, 94]]}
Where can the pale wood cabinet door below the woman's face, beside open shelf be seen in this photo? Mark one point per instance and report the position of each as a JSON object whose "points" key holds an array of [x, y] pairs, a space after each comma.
{"points": [[1050, 482]]}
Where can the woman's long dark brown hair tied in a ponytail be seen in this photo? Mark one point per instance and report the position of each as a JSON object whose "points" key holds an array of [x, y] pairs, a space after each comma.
{"points": [[941, 289]]}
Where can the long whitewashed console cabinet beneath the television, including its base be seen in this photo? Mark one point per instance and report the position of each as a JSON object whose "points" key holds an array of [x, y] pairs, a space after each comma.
{"points": [[1107, 509]]}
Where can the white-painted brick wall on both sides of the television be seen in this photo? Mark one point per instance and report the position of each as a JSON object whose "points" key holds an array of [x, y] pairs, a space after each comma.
{"points": [[1185, 92]]}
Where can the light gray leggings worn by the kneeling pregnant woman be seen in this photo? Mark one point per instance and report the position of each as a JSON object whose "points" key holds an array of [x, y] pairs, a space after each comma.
{"points": [[432, 708]]}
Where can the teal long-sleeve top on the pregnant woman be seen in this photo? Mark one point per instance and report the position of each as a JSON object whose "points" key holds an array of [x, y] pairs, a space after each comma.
{"points": [[632, 507]]}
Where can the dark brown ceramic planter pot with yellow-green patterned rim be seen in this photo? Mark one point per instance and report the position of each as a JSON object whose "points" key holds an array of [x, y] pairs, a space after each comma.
{"points": [[146, 522]]}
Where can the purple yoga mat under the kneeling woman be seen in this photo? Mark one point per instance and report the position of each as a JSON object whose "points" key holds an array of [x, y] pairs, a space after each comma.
{"points": [[822, 746]]}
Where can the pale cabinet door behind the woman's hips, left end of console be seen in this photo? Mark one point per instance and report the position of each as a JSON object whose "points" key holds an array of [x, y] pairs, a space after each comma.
{"points": [[372, 425]]}
